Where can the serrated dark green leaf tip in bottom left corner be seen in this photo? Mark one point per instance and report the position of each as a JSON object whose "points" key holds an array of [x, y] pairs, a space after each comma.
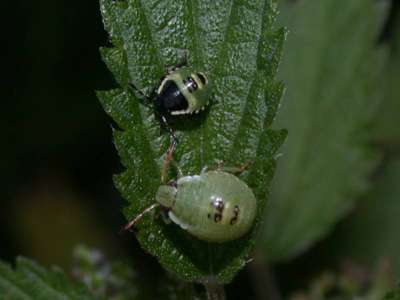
{"points": [[30, 281]]}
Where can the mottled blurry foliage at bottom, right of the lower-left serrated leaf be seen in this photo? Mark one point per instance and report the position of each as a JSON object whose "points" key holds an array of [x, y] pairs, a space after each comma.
{"points": [[116, 280]]}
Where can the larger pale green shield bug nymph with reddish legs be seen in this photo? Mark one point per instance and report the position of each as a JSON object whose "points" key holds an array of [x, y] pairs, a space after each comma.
{"points": [[215, 206]]}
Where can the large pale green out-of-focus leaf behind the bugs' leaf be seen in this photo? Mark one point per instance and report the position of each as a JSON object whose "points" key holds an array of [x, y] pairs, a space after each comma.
{"points": [[331, 68]]}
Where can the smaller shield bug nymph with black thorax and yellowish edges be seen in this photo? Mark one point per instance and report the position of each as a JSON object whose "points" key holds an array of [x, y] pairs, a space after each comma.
{"points": [[183, 91]]}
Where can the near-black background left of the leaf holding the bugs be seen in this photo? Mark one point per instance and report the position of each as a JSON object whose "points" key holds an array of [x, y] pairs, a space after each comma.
{"points": [[56, 156]]}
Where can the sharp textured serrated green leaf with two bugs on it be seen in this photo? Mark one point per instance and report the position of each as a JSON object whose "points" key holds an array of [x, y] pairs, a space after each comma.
{"points": [[234, 43]]}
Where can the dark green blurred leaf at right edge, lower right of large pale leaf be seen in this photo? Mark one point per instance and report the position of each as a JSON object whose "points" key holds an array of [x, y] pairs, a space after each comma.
{"points": [[376, 219]]}
